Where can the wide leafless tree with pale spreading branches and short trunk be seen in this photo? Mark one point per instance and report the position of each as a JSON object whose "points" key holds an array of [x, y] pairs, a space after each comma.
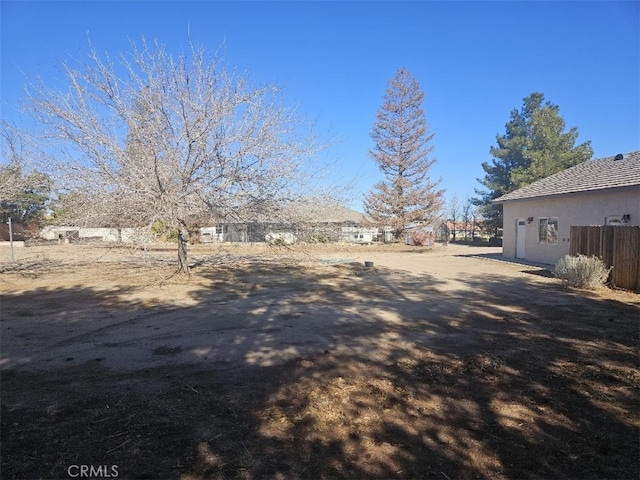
{"points": [[174, 138]]}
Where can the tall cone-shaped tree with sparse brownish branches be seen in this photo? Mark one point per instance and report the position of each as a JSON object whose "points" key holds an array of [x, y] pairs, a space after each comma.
{"points": [[403, 154]]}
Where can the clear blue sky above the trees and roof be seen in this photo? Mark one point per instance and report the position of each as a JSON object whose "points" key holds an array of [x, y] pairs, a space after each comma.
{"points": [[475, 61]]}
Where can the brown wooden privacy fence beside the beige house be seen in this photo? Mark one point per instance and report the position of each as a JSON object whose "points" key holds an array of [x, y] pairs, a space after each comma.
{"points": [[617, 246]]}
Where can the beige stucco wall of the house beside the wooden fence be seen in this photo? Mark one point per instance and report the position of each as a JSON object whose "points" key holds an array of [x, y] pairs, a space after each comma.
{"points": [[589, 208]]}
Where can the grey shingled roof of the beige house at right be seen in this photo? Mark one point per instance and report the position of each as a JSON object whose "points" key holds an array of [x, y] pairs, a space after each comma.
{"points": [[599, 174]]}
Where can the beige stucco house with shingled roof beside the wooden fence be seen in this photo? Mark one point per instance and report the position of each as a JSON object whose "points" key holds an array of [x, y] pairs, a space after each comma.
{"points": [[538, 217]]}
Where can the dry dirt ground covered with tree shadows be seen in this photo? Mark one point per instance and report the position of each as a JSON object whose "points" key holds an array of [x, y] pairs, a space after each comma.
{"points": [[303, 363]]}
